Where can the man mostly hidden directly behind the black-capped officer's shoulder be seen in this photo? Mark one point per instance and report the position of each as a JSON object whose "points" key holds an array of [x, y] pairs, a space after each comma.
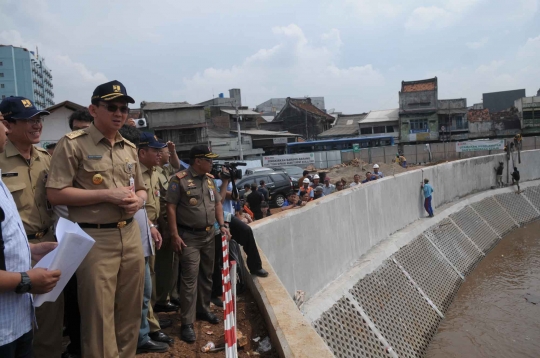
{"points": [[167, 263]]}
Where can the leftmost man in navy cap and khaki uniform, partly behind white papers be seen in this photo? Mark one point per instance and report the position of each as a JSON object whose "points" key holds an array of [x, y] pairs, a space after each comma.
{"points": [[24, 171]]}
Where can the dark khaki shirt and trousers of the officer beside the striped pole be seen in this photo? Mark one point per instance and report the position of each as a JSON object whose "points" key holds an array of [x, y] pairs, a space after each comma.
{"points": [[195, 196]]}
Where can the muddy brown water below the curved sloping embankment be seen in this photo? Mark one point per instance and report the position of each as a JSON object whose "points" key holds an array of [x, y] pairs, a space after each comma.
{"points": [[490, 316]]}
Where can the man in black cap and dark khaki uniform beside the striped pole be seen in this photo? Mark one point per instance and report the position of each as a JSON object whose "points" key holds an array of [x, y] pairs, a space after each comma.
{"points": [[193, 205]]}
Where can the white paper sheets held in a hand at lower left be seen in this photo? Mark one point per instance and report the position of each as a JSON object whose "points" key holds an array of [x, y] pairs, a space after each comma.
{"points": [[73, 246]]}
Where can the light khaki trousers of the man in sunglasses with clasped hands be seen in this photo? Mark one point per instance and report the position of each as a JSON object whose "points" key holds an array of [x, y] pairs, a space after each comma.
{"points": [[110, 284]]}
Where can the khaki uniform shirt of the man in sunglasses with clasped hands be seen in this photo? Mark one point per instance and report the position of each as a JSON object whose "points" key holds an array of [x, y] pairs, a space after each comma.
{"points": [[84, 159]]}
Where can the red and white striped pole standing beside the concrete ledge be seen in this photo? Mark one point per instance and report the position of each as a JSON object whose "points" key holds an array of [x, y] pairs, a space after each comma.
{"points": [[229, 314]]}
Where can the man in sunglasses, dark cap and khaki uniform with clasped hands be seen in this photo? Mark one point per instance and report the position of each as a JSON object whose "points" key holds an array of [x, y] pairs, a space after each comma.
{"points": [[96, 173]]}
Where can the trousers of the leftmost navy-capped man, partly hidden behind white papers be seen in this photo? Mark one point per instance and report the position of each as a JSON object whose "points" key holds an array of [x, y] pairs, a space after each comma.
{"points": [[50, 320]]}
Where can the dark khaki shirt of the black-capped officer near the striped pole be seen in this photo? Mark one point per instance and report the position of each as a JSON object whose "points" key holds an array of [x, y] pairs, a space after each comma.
{"points": [[195, 196]]}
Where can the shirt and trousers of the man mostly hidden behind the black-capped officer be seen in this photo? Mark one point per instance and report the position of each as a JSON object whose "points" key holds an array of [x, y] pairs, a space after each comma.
{"points": [[167, 261]]}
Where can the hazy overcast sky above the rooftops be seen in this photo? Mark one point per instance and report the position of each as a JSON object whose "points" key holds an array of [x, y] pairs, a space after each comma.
{"points": [[355, 53]]}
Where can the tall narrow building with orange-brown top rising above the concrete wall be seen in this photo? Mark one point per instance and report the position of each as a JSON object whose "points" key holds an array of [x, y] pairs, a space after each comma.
{"points": [[418, 104]]}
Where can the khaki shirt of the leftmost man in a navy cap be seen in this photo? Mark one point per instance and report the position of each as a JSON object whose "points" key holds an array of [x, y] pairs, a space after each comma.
{"points": [[26, 182]]}
